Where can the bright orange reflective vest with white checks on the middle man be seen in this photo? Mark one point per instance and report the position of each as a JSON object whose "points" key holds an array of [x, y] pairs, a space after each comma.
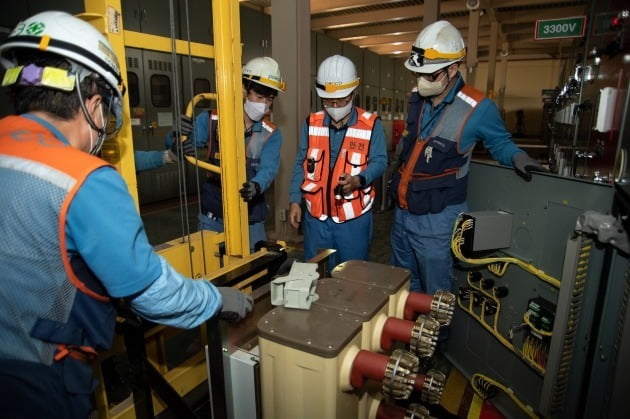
{"points": [[319, 183]]}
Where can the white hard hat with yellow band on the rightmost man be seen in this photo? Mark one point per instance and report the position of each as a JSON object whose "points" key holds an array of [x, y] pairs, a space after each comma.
{"points": [[437, 46]]}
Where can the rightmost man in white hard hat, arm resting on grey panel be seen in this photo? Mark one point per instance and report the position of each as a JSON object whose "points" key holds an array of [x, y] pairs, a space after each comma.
{"points": [[446, 120]]}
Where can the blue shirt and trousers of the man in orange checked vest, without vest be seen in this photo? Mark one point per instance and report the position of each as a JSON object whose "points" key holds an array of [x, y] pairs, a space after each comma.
{"points": [[351, 239]]}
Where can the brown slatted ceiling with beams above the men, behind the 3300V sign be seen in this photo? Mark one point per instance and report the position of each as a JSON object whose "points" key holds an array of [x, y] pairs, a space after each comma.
{"points": [[389, 27]]}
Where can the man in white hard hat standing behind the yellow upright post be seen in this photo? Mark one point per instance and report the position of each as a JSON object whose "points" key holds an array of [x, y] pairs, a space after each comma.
{"points": [[261, 83]]}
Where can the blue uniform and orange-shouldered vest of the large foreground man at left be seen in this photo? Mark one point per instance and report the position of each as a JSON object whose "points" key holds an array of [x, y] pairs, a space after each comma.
{"points": [[69, 243]]}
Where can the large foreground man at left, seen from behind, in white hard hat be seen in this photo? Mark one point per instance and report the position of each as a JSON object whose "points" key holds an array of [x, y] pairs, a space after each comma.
{"points": [[73, 241]]}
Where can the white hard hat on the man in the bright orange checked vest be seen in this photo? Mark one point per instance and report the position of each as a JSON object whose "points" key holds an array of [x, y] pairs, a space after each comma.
{"points": [[336, 77]]}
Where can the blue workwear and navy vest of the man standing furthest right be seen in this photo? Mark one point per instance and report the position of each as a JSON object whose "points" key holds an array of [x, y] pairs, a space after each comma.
{"points": [[434, 192]]}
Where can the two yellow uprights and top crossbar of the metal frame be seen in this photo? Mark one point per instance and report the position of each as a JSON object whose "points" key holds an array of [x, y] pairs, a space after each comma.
{"points": [[106, 16]]}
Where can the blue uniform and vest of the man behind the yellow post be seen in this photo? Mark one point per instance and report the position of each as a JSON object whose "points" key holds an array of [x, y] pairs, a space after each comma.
{"points": [[262, 142]]}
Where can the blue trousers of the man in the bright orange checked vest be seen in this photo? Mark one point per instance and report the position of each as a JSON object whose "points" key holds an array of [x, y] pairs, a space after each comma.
{"points": [[350, 239]]}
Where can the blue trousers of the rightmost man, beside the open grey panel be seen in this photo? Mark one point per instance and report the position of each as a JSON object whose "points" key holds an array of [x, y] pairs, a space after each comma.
{"points": [[422, 244]]}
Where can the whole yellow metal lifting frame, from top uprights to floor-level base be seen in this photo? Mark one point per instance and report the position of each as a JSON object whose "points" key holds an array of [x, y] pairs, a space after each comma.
{"points": [[106, 16]]}
